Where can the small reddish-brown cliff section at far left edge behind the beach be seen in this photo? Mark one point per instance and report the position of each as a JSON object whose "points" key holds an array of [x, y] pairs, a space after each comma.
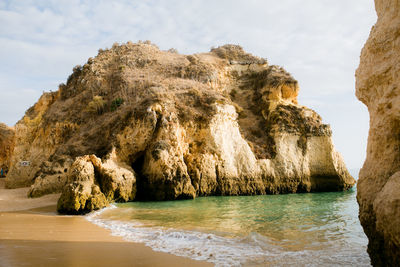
{"points": [[6, 146]]}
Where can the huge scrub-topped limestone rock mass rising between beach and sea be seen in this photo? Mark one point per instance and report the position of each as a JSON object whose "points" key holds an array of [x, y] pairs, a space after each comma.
{"points": [[136, 122]]}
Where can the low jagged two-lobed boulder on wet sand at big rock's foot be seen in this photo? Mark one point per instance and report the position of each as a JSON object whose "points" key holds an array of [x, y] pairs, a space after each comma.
{"points": [[93, 184]]}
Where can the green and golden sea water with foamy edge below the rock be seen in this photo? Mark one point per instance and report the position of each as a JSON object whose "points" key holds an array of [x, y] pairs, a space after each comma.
{"points": [[316, 229]]}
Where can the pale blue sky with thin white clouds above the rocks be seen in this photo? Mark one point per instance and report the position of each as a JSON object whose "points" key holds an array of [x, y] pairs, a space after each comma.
{"points": [[317, 41]]}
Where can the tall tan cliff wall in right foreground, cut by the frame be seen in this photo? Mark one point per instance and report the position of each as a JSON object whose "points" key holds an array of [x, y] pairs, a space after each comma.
{"points": [[378, 87]]}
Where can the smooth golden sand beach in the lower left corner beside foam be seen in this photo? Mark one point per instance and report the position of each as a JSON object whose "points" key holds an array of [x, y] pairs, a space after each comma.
{"points": [[32, 234]]}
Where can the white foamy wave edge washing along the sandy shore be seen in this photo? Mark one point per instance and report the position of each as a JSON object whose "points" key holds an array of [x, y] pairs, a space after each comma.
{"points": [[253, 250]]}
